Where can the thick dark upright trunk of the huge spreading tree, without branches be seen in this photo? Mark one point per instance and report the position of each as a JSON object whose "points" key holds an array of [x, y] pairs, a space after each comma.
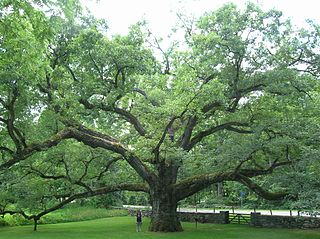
{"points": [[164, 216]]}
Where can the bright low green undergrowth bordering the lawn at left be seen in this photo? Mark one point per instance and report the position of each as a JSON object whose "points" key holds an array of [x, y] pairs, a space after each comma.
{"points": [[69, 214]]}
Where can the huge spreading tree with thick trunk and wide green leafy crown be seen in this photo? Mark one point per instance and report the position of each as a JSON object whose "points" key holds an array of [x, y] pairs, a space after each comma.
{"points": [[88, 114]]}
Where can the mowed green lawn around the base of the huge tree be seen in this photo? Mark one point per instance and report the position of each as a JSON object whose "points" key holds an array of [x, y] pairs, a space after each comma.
{"points": [[124, 228]]}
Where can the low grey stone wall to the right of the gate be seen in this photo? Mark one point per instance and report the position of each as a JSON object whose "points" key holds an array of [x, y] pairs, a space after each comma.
{"points": [[258, 220]]}
